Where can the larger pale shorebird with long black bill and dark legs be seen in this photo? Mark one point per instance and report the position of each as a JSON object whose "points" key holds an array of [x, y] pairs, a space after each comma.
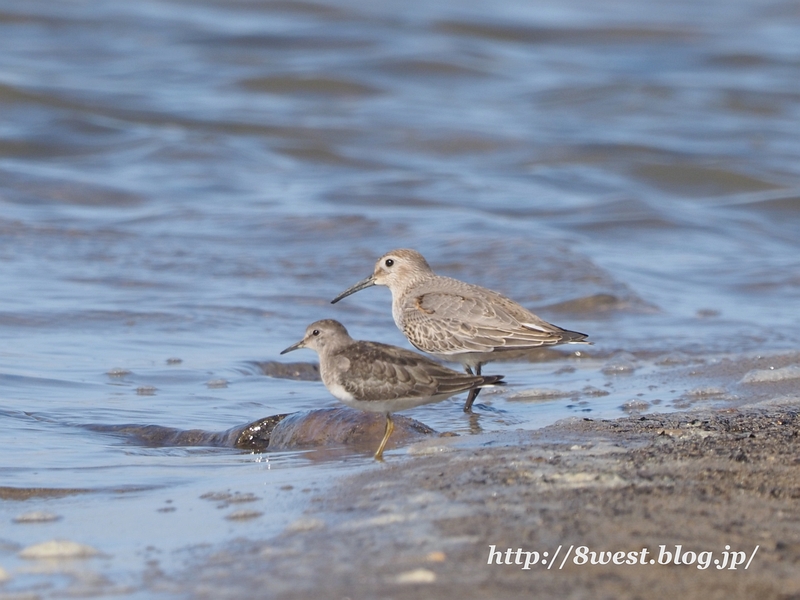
{"points": [[456, 321]]}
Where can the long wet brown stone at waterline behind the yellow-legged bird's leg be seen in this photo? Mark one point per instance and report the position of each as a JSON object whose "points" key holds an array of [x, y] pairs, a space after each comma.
{"points": [[309, 429]]}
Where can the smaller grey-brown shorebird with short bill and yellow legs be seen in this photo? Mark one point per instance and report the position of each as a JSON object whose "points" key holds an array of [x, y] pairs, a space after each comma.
{"points": [[377, 377]]}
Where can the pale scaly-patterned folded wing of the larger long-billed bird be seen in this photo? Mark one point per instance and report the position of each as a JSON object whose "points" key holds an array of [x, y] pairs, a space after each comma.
{"points": [[455, 317]]}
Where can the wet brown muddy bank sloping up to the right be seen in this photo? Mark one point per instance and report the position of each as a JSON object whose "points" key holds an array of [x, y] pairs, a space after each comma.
{"points": [[707, 484]]}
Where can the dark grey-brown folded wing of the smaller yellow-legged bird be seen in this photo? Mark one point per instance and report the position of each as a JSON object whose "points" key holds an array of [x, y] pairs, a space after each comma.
{"points": [[382, 372]]}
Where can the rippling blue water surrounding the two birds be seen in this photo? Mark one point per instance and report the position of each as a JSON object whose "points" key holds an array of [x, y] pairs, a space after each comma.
{"points": [[184, 186]]}
